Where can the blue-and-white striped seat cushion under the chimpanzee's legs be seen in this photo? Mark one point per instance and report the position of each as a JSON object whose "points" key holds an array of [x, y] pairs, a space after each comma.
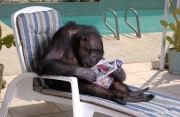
{"points": [[161, 105]]}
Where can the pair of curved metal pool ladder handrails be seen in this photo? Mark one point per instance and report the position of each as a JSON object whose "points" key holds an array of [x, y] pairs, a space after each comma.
{"points": [[116, 34]]}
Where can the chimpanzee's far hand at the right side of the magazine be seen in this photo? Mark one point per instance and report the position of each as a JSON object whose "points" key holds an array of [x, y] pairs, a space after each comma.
{"points": [[119, 74]]}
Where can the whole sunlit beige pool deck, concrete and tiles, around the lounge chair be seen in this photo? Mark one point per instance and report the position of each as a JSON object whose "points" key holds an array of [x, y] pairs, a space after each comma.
{"points": [[136, 54]]}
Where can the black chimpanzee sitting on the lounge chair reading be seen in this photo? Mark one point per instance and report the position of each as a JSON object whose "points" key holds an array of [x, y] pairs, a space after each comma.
{"points": [[74, 49]]}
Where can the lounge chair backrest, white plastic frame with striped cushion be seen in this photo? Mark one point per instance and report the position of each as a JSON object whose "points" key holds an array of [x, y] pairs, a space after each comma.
{"points": [[33, 29]]}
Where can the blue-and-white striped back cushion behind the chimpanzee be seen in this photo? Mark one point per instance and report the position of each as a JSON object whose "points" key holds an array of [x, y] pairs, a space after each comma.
{"points": [[36, 31]]}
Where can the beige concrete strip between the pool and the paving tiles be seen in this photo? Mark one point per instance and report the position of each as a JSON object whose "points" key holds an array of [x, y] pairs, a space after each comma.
{"points": [[130, 49]]}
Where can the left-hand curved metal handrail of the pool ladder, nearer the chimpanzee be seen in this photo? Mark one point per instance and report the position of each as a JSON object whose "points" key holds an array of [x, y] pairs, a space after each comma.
{"points": [[116, 34]]}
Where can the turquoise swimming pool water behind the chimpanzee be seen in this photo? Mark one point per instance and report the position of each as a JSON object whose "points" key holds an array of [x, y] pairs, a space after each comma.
{"points": [[149, 21]]}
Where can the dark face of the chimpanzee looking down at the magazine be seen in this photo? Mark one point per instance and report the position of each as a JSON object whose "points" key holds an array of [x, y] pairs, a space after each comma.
{"points": [[90, 49]]}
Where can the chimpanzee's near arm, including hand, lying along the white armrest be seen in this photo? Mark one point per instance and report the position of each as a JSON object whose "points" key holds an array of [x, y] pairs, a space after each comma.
{"points": [[54, 67]]}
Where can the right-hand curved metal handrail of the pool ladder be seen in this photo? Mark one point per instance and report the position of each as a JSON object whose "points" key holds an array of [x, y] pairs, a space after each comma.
{"points": [[138, 33]]}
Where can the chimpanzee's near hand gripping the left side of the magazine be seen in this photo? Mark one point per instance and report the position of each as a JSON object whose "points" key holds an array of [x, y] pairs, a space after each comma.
{"points": [[86, 74]]}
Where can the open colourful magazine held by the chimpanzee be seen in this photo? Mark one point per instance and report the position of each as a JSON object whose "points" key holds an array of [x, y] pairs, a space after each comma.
{"points": [[103, 69]]}
